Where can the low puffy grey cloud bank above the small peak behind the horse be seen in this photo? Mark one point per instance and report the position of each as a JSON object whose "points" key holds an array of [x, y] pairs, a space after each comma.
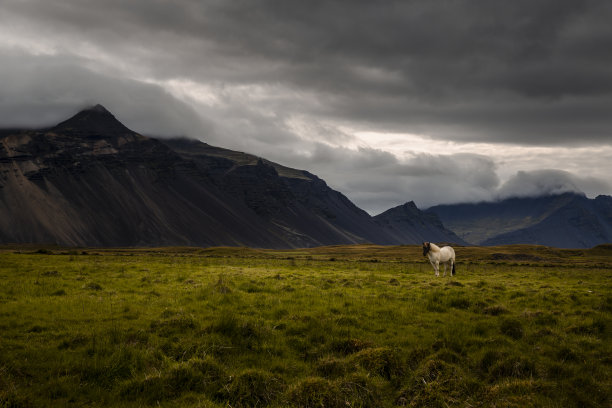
{"points": [[376, 180]]}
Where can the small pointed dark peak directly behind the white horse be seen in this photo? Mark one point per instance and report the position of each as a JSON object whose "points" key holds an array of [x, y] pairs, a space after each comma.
{"points": [[406, 223]]}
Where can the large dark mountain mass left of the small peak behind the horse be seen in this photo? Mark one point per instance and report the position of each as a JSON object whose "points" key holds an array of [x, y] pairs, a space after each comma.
{"points": [[91, 181]]}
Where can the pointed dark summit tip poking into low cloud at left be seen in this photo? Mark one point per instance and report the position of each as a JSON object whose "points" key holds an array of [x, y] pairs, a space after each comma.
{"points": [[93, 121]]}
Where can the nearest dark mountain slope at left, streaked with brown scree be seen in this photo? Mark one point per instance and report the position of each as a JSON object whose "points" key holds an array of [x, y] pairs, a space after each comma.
{"points": [[73, 185]]}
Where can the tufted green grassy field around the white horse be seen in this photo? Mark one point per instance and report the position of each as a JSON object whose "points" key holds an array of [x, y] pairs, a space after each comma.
{"points": [[357, 326]]}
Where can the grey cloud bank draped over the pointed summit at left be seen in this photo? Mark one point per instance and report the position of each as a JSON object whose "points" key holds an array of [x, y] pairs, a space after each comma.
{"points": [[45, 90]]}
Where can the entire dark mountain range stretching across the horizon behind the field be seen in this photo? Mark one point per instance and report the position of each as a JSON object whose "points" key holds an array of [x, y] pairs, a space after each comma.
{"points": [[91, 181]]}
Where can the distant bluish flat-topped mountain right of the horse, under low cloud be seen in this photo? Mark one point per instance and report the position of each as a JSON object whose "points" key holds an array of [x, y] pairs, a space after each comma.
{"points": [[566, 221]]}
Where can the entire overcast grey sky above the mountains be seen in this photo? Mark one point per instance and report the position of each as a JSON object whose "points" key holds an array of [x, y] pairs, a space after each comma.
{"points": [[388, 101]]}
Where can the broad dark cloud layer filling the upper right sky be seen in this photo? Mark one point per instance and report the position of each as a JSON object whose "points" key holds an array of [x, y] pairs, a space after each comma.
{"points": [[522, 71]]}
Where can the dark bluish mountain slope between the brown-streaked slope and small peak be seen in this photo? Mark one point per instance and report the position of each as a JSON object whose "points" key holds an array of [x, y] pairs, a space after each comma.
{"points": [[293, 200]]}
